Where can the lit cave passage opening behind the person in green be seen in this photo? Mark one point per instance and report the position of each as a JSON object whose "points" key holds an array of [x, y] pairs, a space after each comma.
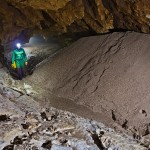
{"points": [[37, 49]]}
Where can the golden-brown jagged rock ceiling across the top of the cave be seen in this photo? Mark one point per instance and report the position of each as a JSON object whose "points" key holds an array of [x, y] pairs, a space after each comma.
{"points": [[25, 17]]}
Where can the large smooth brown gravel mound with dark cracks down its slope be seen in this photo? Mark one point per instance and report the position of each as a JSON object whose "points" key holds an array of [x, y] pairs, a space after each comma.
{"points": [[109, 74]]}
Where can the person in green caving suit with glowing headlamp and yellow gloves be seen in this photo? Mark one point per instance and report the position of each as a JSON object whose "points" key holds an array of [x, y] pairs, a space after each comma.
{"points": [[19, 60]]}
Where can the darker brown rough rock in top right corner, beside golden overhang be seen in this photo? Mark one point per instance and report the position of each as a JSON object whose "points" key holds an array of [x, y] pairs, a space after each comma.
{"points": [[130, 14]]}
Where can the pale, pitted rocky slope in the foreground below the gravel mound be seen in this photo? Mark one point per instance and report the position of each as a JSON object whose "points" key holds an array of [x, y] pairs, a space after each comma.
{"points": [[25, 124]]}
